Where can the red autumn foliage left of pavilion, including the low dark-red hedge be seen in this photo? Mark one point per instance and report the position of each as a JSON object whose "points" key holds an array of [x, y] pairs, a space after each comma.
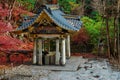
{"points": [[10, 42]]}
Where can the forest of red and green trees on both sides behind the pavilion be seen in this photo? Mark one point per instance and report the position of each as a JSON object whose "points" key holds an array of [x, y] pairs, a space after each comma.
{"points": [[100, 33]]}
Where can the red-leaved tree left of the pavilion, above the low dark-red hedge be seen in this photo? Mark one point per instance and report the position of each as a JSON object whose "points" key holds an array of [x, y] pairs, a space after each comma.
{"points": [[7, 42]]}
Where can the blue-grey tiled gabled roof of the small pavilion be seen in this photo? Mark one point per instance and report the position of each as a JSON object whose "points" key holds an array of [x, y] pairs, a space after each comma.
{"points": [[58, 17]]}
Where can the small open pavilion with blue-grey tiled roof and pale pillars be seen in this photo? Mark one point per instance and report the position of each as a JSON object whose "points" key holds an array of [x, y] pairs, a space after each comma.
{"points": [[50, 23]]}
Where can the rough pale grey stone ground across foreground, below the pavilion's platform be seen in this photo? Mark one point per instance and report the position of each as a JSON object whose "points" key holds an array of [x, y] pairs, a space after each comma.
{"points": [[87, 70]]}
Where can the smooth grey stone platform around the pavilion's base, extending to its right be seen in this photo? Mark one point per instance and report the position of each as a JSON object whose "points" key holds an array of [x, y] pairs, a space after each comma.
{"points": [[71, 65]]}
